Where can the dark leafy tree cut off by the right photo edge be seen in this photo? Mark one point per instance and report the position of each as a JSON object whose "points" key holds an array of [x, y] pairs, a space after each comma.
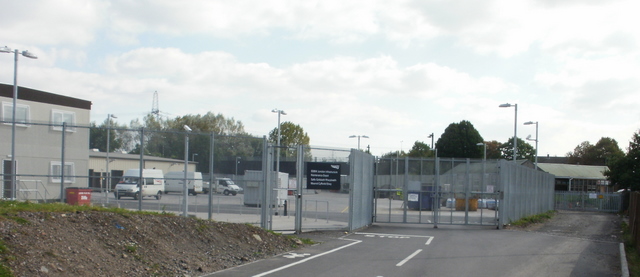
{"points": [[624, 171]]}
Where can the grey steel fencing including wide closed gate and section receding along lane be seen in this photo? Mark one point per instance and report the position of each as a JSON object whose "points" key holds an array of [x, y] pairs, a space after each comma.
{"points": [[458, 191]]}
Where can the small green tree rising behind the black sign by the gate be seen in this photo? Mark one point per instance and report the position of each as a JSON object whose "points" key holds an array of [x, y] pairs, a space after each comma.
{"points": [[291, 135]]}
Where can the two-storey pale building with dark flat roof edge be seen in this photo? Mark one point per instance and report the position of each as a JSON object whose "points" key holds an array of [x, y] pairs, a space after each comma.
{"points": [[39, 143]]}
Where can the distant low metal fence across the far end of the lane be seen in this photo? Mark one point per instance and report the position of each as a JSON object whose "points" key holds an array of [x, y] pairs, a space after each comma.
{"points": [[588, 201]]}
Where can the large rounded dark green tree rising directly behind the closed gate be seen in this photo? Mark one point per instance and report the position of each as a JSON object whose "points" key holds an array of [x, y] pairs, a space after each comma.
{"points": [[460, 140]]}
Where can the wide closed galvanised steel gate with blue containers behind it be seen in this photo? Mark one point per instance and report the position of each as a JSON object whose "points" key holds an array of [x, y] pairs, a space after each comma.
{"points": [[437, 191]]}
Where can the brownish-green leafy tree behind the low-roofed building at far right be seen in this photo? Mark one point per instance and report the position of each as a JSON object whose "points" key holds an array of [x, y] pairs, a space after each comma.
{"points": [[606, 149]]}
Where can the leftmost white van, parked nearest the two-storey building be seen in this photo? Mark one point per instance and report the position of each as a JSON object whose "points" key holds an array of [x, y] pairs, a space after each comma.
{"points": [[152, 184]]}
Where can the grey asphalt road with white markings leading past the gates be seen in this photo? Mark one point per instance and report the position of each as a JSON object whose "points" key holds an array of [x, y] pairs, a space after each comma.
{"points": [[420, 250]]}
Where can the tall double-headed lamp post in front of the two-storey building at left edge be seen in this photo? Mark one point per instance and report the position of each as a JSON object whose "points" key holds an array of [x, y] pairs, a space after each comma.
{"points": [[13, 115]]}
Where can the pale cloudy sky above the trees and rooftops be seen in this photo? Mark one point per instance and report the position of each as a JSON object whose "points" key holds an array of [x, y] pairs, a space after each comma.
{"points": [[395, 71]]}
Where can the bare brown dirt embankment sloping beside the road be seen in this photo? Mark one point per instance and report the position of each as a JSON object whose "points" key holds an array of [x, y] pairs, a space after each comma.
{"points": [[110, 244]]}
